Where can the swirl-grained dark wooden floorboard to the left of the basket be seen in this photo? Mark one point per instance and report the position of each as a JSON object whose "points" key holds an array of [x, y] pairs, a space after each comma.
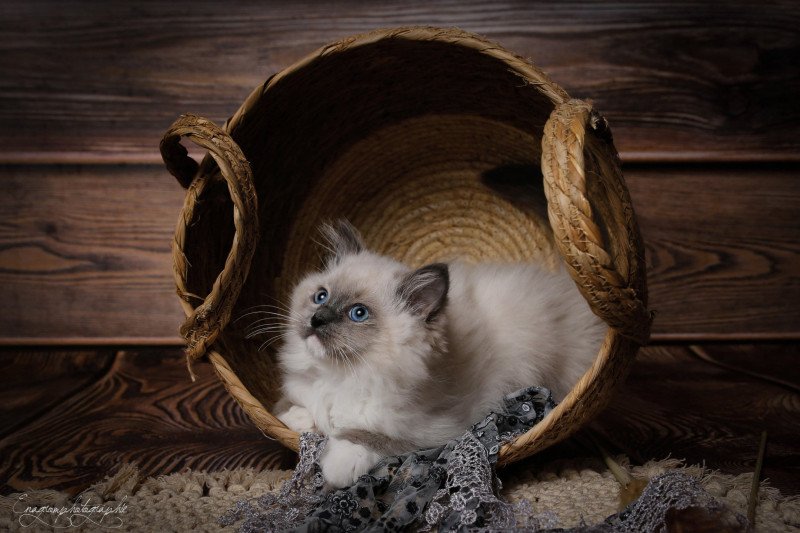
{"points": [[143, 409]]}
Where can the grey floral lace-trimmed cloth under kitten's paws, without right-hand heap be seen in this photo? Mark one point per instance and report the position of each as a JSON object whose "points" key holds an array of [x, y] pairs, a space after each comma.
{"points": [[452, 487]]}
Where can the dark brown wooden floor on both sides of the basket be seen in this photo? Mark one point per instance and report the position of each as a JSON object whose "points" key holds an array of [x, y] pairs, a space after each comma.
{"points": [[69, 417]]}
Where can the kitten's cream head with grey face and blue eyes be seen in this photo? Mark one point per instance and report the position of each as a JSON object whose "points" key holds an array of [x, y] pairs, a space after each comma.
{"points": [[366, 309]]}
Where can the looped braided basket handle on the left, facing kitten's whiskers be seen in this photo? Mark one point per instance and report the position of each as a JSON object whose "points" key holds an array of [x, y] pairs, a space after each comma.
{"points": [[205, 321]]}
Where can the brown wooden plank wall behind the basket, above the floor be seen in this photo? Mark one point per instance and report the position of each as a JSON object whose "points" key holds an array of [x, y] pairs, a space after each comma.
{"points": [[702, 98]]}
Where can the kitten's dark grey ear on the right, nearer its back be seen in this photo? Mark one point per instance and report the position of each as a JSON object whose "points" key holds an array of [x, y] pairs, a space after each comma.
{"points": [[424, 291]]}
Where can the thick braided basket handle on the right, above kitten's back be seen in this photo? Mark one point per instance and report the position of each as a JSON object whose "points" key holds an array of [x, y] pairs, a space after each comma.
{"points": [[615, 287]]}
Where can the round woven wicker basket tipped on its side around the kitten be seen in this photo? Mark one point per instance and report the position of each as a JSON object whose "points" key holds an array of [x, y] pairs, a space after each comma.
{"points": [[433, 142]]}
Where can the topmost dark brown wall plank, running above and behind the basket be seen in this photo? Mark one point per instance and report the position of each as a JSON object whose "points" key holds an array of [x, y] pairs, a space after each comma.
{"points": [[689, 81]]}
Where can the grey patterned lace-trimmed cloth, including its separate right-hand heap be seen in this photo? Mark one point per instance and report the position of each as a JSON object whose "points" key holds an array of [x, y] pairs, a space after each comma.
{"points": [[454, 488]]}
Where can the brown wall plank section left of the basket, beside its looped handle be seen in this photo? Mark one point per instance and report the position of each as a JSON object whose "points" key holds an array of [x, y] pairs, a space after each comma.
{"points": [[85, 253]]}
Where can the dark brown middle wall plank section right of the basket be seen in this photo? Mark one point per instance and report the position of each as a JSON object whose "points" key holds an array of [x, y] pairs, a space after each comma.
{"points": [[722, 249]]}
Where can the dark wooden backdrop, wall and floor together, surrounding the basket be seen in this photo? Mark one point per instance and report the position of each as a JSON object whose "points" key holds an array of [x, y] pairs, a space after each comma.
{"points": [[702, 98]]}
